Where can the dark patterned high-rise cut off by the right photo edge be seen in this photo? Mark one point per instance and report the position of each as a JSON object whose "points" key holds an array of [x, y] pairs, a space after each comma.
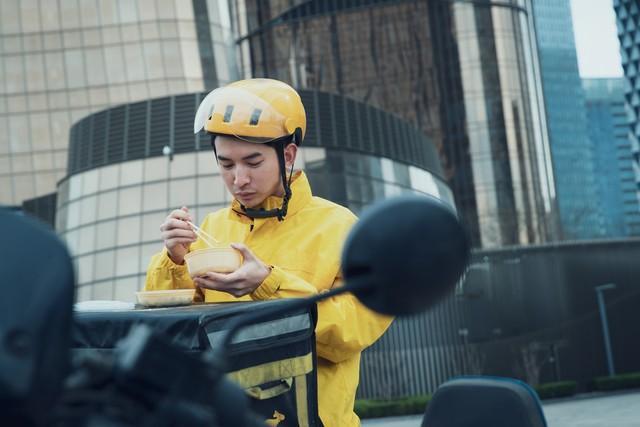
{"points": [[628, 22]]}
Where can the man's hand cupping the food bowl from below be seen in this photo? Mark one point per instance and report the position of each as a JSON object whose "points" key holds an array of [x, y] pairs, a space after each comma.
{"points": [[241, 282]]}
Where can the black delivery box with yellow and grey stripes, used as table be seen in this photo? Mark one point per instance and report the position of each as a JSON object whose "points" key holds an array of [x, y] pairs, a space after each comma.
{"points": [[273, 360]]}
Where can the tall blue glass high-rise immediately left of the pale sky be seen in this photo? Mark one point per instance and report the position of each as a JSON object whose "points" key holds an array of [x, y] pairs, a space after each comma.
{"points": [[571, 150]]}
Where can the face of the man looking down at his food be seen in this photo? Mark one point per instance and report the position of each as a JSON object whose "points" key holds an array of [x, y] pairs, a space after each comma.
{"points": [[251, 171]]}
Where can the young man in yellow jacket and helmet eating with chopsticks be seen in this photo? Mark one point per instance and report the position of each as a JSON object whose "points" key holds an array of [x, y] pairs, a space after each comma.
{"points": [[290, 241]]}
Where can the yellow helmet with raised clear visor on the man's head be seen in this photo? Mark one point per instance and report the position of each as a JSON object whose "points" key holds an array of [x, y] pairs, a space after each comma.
{"points": [[254, 110]]}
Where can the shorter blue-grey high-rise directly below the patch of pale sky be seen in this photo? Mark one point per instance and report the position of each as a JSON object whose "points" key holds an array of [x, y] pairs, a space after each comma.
{"points": [[609, 133]]}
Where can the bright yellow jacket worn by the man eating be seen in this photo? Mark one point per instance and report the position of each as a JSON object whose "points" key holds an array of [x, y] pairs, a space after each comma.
{"points": [[304, 251]]}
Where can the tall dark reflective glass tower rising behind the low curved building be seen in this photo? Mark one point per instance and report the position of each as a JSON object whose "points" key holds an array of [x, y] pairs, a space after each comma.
{"points": [[464, 72]]}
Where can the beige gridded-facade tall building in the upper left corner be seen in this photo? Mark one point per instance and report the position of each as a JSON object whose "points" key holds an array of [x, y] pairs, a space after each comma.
{"points": [[62, 60]]}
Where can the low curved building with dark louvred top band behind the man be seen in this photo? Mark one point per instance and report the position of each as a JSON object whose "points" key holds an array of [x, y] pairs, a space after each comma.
{"points": [[120, 186]]}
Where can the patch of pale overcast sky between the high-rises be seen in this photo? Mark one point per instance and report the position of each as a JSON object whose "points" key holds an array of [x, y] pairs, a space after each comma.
{"points": [[594, 25]]}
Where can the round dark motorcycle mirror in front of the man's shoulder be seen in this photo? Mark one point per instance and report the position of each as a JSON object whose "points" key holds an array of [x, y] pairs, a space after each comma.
{"points": [[405, 254]]}
